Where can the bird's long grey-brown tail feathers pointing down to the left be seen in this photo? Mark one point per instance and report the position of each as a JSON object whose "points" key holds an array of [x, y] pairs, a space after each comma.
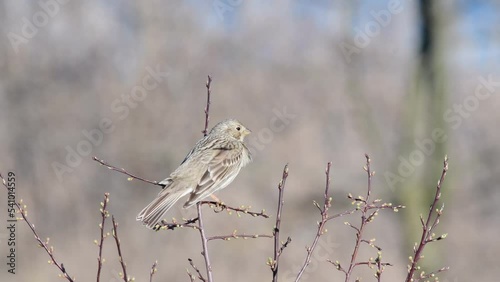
{"points": [[153, 213]]}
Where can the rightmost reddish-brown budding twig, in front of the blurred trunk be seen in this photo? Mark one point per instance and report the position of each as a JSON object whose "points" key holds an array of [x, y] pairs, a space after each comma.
{"points": [[427, 229]]}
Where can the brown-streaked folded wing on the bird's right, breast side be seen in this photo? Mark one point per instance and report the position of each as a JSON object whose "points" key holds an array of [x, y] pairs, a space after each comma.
{"points": [[221, 171]]}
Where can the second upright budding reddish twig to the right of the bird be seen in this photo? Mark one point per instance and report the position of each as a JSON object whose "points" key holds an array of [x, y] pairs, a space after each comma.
{"points": [[321, 226]]}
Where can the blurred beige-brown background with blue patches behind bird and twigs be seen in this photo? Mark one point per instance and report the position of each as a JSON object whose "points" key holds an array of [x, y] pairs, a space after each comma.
{"points": [[404, 81]]}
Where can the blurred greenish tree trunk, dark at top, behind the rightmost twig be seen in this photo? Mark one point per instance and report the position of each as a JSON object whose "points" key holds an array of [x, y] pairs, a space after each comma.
{"points": [[425, 106]]}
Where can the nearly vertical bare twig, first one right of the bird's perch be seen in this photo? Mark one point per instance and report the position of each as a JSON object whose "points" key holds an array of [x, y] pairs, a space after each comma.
{"points": [[279, 246]]}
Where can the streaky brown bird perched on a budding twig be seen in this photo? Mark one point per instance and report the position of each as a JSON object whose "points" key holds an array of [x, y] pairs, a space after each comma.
{"points": [[210, 166]]}
